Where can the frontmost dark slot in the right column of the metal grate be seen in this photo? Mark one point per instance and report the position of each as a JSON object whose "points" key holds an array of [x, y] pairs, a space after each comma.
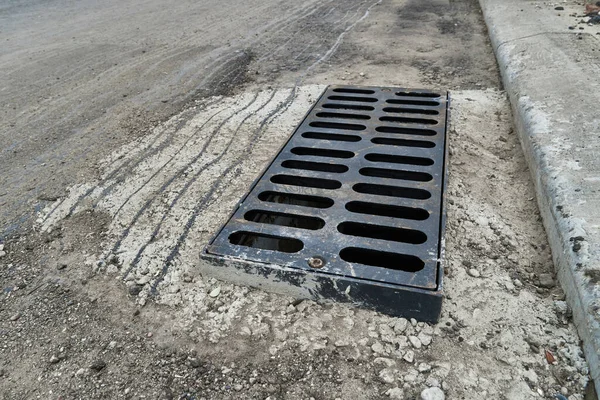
{"points": [[383, 259]]}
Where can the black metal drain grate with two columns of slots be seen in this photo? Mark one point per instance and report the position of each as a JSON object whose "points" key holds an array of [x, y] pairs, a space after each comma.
{"points": [[351, 209]]}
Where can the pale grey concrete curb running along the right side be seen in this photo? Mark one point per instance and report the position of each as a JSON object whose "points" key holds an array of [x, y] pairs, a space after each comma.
{"points": [[551, 77]]}
